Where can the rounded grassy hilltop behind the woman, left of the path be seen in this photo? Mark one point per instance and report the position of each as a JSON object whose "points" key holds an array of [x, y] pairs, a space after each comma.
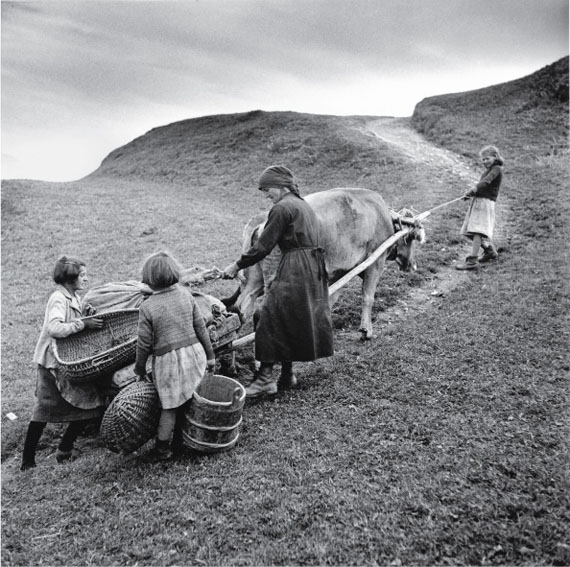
{"points": [[229, 151]]}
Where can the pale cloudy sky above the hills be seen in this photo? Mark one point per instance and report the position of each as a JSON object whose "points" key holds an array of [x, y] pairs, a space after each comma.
{"points": [[81, 78]]}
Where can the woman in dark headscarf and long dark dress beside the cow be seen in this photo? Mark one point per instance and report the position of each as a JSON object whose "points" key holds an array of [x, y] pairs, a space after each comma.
{"points": [[295, 322]]}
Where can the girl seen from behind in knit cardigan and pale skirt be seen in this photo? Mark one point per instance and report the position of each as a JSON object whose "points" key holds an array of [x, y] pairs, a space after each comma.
{"points": [[172, 330]]}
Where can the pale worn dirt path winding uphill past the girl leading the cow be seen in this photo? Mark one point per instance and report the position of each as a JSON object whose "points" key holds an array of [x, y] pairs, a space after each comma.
{"points": [[399, 133]]}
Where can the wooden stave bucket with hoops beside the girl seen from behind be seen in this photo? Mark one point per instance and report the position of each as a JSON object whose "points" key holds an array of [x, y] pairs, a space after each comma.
{"points": [[214, 414]]}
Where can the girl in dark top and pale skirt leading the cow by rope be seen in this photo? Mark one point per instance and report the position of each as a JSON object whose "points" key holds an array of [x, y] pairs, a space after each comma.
{"points": [[480, 219]]}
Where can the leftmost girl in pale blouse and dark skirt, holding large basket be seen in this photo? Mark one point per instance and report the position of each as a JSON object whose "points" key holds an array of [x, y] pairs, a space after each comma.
{"points": [[56, 399]]}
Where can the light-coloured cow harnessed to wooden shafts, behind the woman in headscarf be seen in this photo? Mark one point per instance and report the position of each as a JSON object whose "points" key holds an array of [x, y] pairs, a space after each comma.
{"points": [[354, 222]]}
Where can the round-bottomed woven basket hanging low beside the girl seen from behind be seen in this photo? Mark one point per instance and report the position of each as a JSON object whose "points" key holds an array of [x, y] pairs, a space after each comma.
{"points": [[131, 418]]}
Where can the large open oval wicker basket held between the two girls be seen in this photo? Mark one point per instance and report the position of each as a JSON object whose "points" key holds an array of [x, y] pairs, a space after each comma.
{"points": [[91, 353]]}
